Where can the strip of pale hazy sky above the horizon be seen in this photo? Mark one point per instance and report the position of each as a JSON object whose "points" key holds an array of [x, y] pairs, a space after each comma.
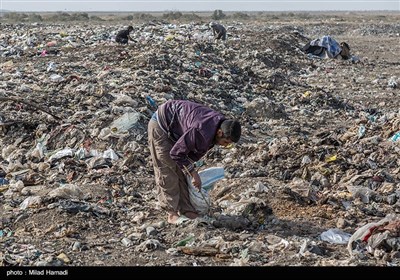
{"points": [[192, 5]]}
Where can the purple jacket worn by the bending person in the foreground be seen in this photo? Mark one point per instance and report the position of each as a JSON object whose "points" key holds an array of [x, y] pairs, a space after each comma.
{"points": [[191, 126]]}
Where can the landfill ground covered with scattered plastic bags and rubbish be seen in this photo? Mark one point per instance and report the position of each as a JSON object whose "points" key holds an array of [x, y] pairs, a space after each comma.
{"points": [[318, 158]]}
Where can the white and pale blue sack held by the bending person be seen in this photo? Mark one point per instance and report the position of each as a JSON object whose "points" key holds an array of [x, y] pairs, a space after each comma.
{"points": [[201, 200]]}
